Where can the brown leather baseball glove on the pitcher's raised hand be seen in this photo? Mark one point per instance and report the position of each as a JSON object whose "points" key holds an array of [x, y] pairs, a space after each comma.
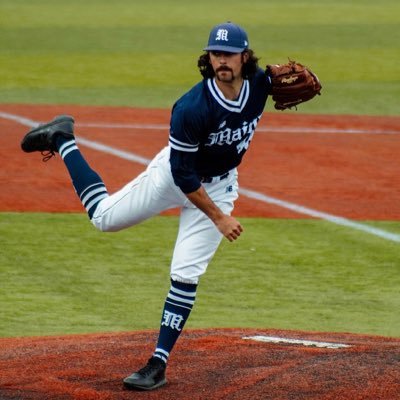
{"points": [[292, 84]]}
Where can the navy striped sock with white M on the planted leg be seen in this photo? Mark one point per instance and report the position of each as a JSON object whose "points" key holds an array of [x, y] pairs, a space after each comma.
{"points": [[178, 305]]}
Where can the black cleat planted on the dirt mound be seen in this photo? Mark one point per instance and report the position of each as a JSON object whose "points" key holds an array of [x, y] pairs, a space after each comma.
{"points": [[150, 377]]}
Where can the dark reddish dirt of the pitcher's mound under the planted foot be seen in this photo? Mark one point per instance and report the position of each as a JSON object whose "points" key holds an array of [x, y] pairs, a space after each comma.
{"points": [[208, 364]]}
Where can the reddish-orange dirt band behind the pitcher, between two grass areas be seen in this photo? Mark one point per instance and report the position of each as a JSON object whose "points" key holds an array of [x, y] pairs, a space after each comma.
{"points": [[344, 165]]}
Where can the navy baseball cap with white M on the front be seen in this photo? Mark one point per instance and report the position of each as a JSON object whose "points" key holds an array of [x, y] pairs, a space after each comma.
{"points": [[227, 37]]}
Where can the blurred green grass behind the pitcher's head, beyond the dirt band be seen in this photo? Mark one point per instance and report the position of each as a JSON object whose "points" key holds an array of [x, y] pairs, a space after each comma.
{"points": [[129, 52]]}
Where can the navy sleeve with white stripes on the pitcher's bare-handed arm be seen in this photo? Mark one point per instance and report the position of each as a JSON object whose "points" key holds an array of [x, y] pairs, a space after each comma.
{"points": [[184, 140]]}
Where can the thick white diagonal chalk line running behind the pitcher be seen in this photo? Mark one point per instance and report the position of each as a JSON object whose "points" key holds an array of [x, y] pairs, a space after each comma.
{"points": [[243, 191]]}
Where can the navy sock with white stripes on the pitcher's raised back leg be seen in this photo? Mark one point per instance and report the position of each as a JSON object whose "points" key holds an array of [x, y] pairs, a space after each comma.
{"points": [[87, 183]]}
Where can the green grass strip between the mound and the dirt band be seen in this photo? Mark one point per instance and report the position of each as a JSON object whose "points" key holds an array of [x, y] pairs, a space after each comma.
{"points": [[59, 275]]}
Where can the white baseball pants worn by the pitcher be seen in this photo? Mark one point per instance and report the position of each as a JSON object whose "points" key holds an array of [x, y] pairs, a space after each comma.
{"points": [[154, 191]]}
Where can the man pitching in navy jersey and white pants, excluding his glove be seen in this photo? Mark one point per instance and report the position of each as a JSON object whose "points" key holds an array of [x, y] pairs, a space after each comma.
{"points": [[211, 128]]}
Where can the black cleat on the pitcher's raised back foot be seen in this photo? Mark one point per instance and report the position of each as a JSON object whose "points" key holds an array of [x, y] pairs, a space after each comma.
{"points": [[44, 136]]}
